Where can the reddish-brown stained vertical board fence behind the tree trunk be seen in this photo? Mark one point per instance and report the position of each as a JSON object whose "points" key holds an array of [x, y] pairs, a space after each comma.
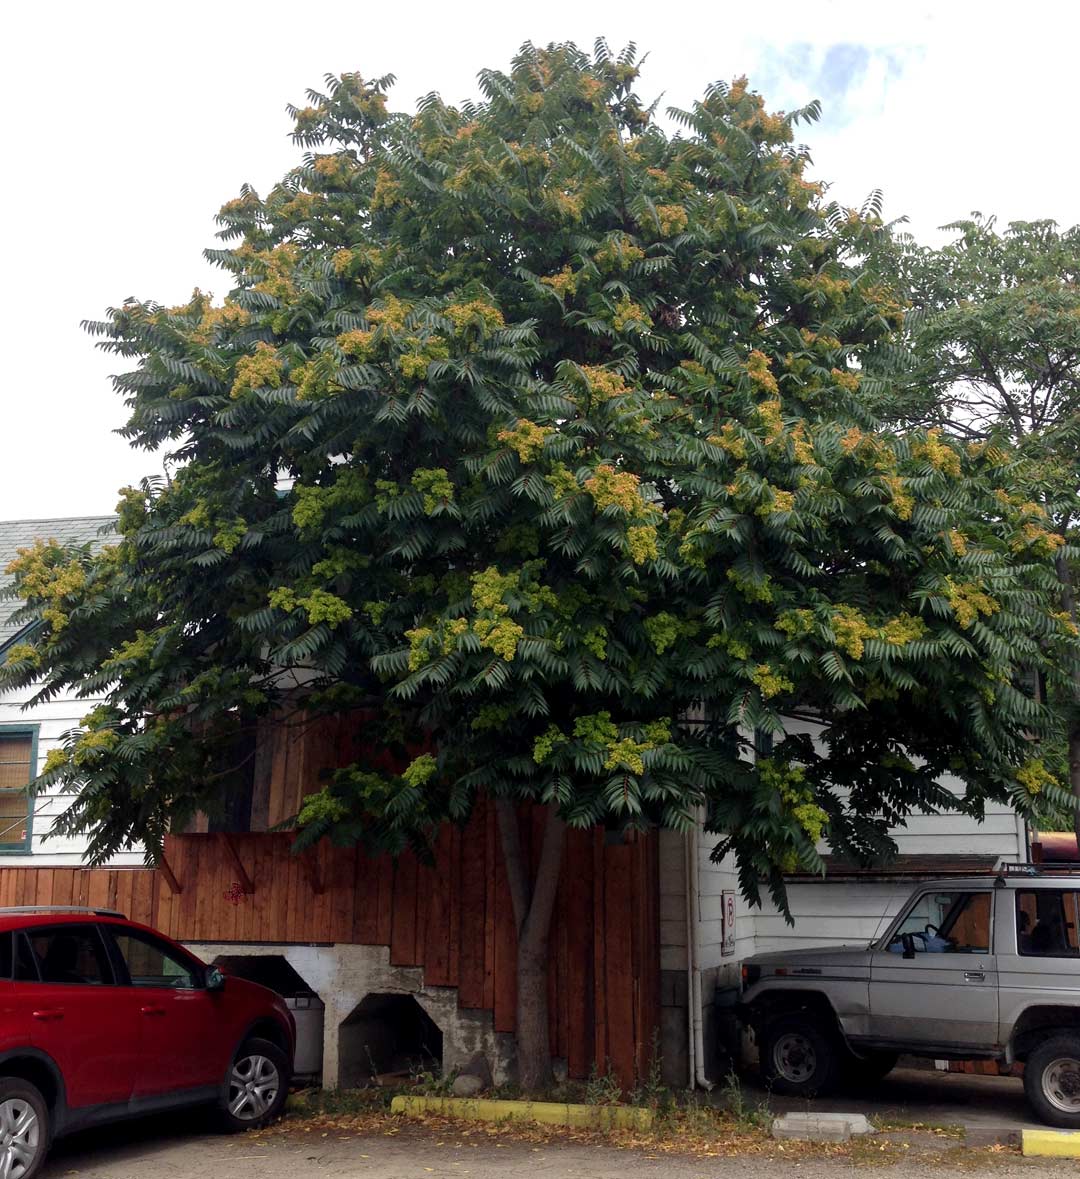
{"points": [[453, 919]]}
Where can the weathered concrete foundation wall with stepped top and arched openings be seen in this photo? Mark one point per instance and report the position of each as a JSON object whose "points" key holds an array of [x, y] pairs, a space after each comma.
{"points": [[345, 976]]}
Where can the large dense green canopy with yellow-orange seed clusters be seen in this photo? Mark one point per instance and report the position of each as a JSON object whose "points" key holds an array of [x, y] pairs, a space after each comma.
{"points": [[543, 432]]}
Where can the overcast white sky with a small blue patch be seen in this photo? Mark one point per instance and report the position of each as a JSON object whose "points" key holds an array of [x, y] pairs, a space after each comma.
{"points": [[130, 124]]}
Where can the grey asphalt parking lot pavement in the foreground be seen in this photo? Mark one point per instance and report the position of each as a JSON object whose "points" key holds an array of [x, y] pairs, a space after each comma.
{"points": [[183, 1147]]}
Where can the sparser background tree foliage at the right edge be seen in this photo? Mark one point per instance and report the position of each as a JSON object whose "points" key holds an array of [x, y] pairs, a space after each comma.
{"points": [[993, 359]]}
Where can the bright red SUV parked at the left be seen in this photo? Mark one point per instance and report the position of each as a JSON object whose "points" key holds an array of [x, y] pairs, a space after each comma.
{"points": [[103, 1019]]}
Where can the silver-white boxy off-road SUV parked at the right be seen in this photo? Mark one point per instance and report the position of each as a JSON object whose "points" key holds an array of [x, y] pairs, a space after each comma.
{"points": [[974, 969]]}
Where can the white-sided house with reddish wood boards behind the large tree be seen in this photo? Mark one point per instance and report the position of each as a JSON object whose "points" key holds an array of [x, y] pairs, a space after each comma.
{"points": [[393, 963]]}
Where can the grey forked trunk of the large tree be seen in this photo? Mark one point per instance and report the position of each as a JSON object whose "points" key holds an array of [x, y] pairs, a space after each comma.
{"points": [[535, 903]]}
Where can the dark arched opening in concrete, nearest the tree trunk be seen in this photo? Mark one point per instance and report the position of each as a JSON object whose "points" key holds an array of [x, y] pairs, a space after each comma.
{"points": [[387, 1037]]}
